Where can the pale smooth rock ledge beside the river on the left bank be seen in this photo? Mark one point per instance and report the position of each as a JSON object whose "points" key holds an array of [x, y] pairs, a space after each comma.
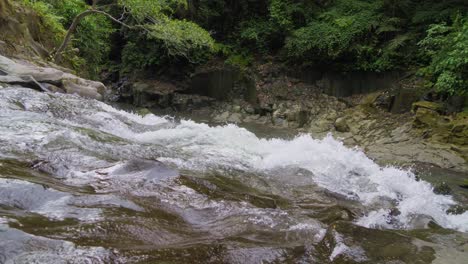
{"points": [[29, 75]]}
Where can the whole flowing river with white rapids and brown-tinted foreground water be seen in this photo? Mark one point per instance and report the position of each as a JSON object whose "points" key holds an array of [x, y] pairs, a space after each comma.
{"points": [[83, 182]]}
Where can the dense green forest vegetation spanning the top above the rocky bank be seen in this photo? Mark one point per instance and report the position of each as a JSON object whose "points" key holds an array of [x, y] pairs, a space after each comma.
{"points": [[430, 37]]}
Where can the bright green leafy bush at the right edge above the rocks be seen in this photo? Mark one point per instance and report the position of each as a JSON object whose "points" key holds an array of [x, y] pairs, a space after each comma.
{"points": [[447, 48]]}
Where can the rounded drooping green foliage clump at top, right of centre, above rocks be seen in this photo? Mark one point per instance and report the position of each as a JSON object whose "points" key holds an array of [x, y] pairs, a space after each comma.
{"points": [[339, 31]]}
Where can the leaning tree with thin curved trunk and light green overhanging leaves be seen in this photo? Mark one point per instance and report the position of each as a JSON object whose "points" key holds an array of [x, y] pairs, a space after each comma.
{"points": [[154, 18]]}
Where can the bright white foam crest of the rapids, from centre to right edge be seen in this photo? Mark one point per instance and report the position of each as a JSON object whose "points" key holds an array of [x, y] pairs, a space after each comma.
{"points": [[335, 167]]}
